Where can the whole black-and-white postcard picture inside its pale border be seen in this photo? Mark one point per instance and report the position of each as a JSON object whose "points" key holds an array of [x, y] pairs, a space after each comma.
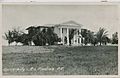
{"points": [[59, 39]]}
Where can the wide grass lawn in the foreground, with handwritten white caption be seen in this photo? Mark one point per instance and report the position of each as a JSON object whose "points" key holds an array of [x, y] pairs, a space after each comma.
{"points": [[79, 60]]}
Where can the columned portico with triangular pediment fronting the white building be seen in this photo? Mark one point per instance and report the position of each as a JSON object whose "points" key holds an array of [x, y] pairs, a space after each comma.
{"points": [[63, 31]]}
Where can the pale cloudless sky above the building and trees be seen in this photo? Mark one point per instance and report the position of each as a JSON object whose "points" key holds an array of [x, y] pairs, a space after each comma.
{"points": [[90, 16]]}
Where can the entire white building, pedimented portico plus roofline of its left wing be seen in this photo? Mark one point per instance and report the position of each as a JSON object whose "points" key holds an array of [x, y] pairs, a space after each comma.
{"points": [[64, 30]]}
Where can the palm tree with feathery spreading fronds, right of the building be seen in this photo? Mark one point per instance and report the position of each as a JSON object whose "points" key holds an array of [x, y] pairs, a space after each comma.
{"points": [[101, 35]]}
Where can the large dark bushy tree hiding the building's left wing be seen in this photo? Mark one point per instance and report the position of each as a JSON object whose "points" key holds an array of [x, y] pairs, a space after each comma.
{"points": [[43, 36]]}
